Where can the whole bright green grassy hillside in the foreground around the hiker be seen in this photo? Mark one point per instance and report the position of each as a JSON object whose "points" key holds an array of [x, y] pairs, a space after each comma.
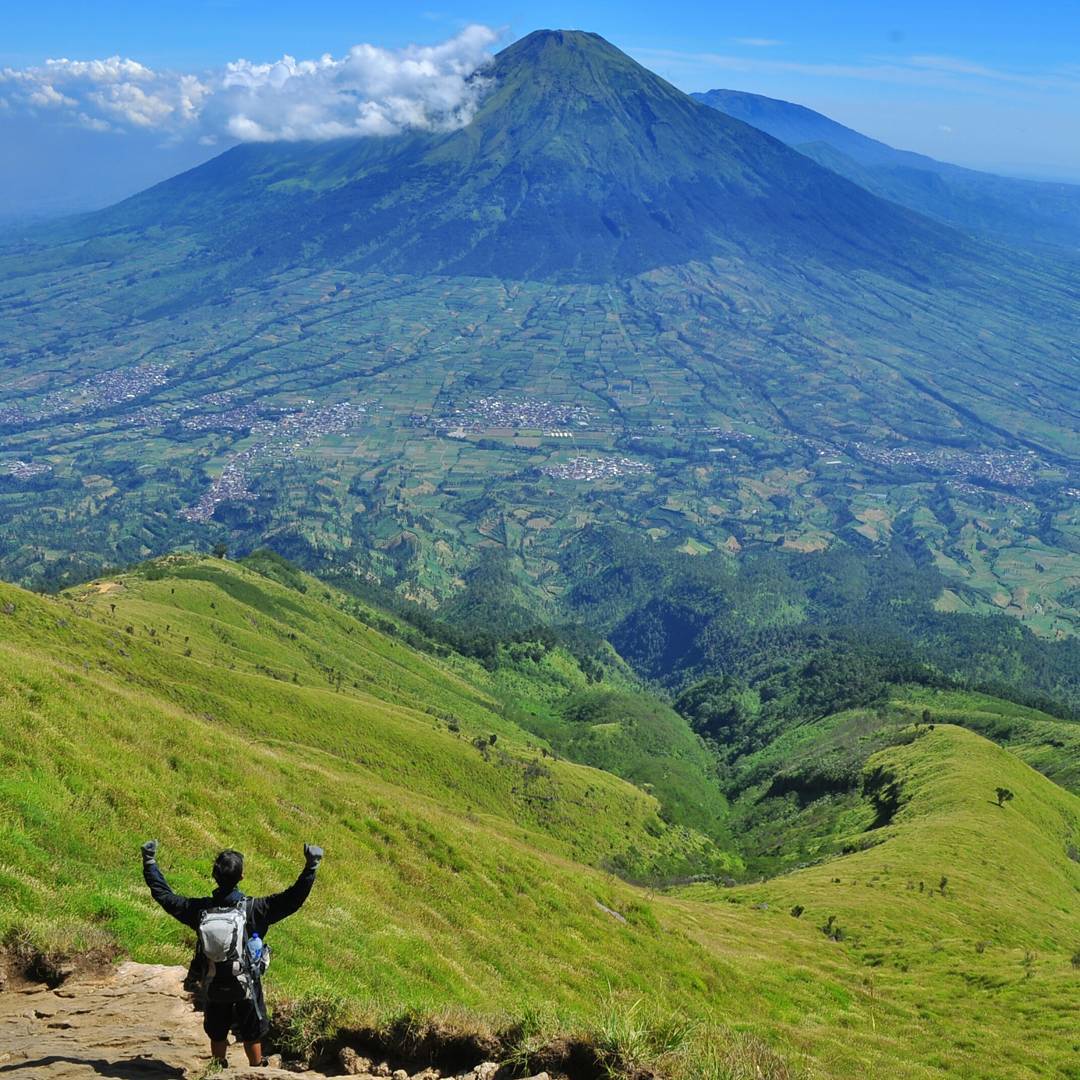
{"points": [[458, 876]]}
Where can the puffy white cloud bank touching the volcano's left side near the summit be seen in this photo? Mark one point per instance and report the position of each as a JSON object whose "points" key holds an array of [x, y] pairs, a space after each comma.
{"points": [[370, 91]]}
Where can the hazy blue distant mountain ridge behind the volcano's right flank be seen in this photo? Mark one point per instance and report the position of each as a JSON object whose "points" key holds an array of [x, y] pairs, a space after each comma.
{"points": [[1020, 211]]}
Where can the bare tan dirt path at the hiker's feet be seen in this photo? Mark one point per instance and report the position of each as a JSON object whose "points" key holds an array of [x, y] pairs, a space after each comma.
{"points": [[133, 1023]]}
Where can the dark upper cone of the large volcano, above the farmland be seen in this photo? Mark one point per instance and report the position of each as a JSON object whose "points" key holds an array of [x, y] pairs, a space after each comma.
{"points": [[580, 165]]}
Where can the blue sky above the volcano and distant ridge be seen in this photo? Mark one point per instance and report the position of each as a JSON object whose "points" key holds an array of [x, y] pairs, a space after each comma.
{"points": [[994, 85]]}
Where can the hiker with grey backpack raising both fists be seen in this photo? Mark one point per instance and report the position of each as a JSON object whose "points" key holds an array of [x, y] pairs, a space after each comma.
{"points": [[231, 955]]}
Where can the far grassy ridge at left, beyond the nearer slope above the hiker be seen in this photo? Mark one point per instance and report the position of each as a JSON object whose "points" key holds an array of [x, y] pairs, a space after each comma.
{"points": [[261, 657]]}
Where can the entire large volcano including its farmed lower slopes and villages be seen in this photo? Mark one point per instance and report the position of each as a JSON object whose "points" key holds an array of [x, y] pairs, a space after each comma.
{"points": [[389, 411]]}
